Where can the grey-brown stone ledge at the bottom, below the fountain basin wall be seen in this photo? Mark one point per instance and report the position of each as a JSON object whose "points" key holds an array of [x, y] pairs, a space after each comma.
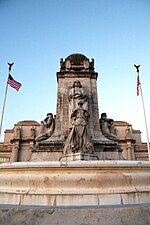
{"points": [[75, 215]]}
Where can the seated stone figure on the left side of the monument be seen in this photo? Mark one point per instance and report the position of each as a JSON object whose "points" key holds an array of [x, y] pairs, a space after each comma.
{"points": [[47, 128]]}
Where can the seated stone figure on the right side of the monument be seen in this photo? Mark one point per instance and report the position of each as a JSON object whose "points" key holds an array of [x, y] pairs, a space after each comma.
{"points": [[106, 125]]}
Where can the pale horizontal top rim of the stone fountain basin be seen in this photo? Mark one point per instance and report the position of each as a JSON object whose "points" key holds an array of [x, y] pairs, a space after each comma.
{"points": [[78, 164]]}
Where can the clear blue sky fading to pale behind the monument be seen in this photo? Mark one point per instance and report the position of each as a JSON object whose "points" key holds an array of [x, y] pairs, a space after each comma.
{"points": [[35, 34]]}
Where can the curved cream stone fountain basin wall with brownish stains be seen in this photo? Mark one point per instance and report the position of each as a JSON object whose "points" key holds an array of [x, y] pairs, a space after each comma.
{"points": [[75, 183]]}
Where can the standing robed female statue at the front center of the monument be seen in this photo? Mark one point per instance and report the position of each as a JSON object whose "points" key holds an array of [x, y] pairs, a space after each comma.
{"points": [[78, 139]]}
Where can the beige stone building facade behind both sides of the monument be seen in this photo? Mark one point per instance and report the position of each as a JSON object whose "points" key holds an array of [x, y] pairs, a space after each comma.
{"points": [[19, 141]]}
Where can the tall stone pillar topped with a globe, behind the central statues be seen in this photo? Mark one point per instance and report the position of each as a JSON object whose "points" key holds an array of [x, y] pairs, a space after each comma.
{"points": [[77, 67]]}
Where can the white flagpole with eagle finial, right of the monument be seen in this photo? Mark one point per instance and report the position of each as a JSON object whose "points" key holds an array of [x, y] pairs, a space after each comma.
{"points": [[148, 147]]}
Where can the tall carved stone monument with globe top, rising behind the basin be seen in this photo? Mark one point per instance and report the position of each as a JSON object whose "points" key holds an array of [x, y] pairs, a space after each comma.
{"points": [[75, 132]]}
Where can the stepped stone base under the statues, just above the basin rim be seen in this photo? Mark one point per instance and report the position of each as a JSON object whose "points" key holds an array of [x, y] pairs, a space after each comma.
{"points": [[53, 151]]}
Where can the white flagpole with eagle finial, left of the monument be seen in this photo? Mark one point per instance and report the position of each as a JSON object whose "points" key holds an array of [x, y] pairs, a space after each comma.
{"points": [[5, 94]]}
